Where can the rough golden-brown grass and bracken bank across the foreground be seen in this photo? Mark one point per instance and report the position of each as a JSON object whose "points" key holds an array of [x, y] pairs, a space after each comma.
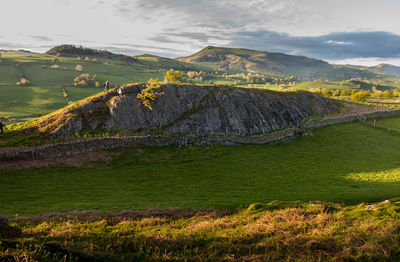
{"points": [[273, 232]]}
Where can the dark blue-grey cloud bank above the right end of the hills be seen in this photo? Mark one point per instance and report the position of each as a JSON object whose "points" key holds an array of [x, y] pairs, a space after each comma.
{"points": [[341, 45]]}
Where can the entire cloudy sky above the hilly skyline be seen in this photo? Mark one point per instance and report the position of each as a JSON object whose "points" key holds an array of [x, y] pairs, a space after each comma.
{"points": [[365, 32]]}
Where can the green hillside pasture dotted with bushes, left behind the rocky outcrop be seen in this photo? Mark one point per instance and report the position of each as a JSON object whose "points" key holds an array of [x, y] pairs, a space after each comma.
{"points": [[46, 91]]}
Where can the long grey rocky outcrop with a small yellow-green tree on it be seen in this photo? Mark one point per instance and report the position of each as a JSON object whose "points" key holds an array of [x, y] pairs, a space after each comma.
{"points": [[189, 109]]}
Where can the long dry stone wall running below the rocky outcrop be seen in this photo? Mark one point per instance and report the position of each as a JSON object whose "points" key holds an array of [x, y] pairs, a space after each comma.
{"points": [[70, 148]]}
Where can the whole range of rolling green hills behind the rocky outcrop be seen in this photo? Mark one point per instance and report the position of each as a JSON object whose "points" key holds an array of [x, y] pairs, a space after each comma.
{"points": [[51, 74]]}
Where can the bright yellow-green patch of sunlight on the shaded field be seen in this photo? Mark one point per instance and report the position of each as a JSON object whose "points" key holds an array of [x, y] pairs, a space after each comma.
{"points": [[387, 176]]}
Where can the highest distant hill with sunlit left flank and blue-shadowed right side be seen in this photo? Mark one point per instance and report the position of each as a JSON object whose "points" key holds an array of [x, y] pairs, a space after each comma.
{"points": [[245, 60]]}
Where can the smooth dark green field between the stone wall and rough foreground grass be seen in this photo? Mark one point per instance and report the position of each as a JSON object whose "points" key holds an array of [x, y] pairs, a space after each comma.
{"points": [[344, 163]]}
